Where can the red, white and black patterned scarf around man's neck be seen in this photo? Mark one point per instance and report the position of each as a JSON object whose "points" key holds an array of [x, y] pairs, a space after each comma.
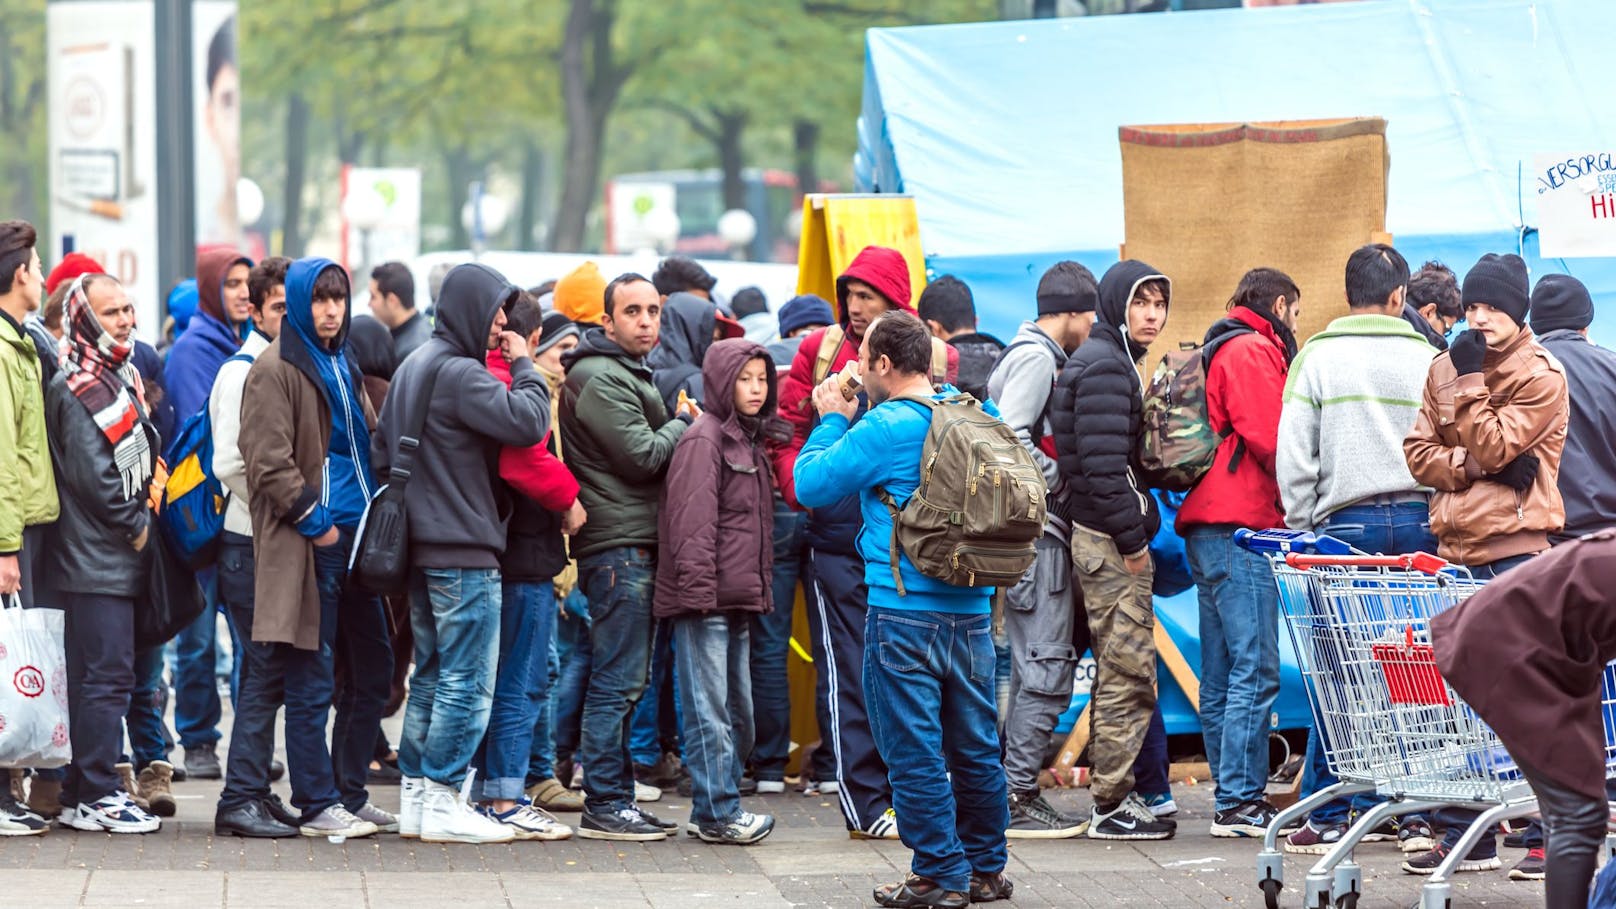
{"points": [[101, 376]]}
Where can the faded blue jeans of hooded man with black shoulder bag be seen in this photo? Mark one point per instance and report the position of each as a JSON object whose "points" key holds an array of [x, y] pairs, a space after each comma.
{"points": [[455, 615]]}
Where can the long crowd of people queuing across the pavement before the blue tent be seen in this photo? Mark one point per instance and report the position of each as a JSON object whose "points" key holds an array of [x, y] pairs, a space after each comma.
{"points": [[617, 489]]}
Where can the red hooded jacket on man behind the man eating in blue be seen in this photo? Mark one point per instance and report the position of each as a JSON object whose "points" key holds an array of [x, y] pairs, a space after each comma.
{"points": [[883, 269]]}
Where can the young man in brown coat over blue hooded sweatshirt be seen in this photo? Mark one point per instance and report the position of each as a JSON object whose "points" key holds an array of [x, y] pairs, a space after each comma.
{"points": [[306, 439]]}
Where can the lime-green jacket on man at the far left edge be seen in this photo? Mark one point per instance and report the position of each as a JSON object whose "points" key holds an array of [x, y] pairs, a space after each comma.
{"points": [[28, 488]]}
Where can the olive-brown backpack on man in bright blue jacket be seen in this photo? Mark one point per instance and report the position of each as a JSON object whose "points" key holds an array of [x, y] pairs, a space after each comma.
{"points": [[980, 507]]}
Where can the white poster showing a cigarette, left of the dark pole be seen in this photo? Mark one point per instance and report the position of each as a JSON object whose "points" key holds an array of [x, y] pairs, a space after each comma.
{"points": [[103, 80]]}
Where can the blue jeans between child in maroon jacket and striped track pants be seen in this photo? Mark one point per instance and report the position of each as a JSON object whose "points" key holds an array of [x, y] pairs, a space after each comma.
{"points": [[772, 643]]}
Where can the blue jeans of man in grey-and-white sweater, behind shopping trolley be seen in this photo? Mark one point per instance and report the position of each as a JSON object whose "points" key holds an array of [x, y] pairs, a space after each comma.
{"points": [[1379, 530]]}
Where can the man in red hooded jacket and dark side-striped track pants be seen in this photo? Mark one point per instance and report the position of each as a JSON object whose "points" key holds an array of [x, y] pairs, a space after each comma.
{"points": [[877, 282]]}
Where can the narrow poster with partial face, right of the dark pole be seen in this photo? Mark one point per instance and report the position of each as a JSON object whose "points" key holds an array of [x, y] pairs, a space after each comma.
{"points": [[216, 96]]}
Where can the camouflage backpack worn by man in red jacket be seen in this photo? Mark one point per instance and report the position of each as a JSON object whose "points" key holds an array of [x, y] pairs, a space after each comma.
{"points": [[1177, 442]]}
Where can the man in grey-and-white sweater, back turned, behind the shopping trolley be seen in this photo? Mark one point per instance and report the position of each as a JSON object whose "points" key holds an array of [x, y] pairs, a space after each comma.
{"points": [[1347, 476]]}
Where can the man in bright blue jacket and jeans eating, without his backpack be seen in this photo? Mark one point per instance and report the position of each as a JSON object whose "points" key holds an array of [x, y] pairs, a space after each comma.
{"points": [[930, 659]]}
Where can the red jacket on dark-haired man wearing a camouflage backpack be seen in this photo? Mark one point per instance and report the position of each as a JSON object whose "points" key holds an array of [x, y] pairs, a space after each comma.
{"points": [[1245, 391]]}
